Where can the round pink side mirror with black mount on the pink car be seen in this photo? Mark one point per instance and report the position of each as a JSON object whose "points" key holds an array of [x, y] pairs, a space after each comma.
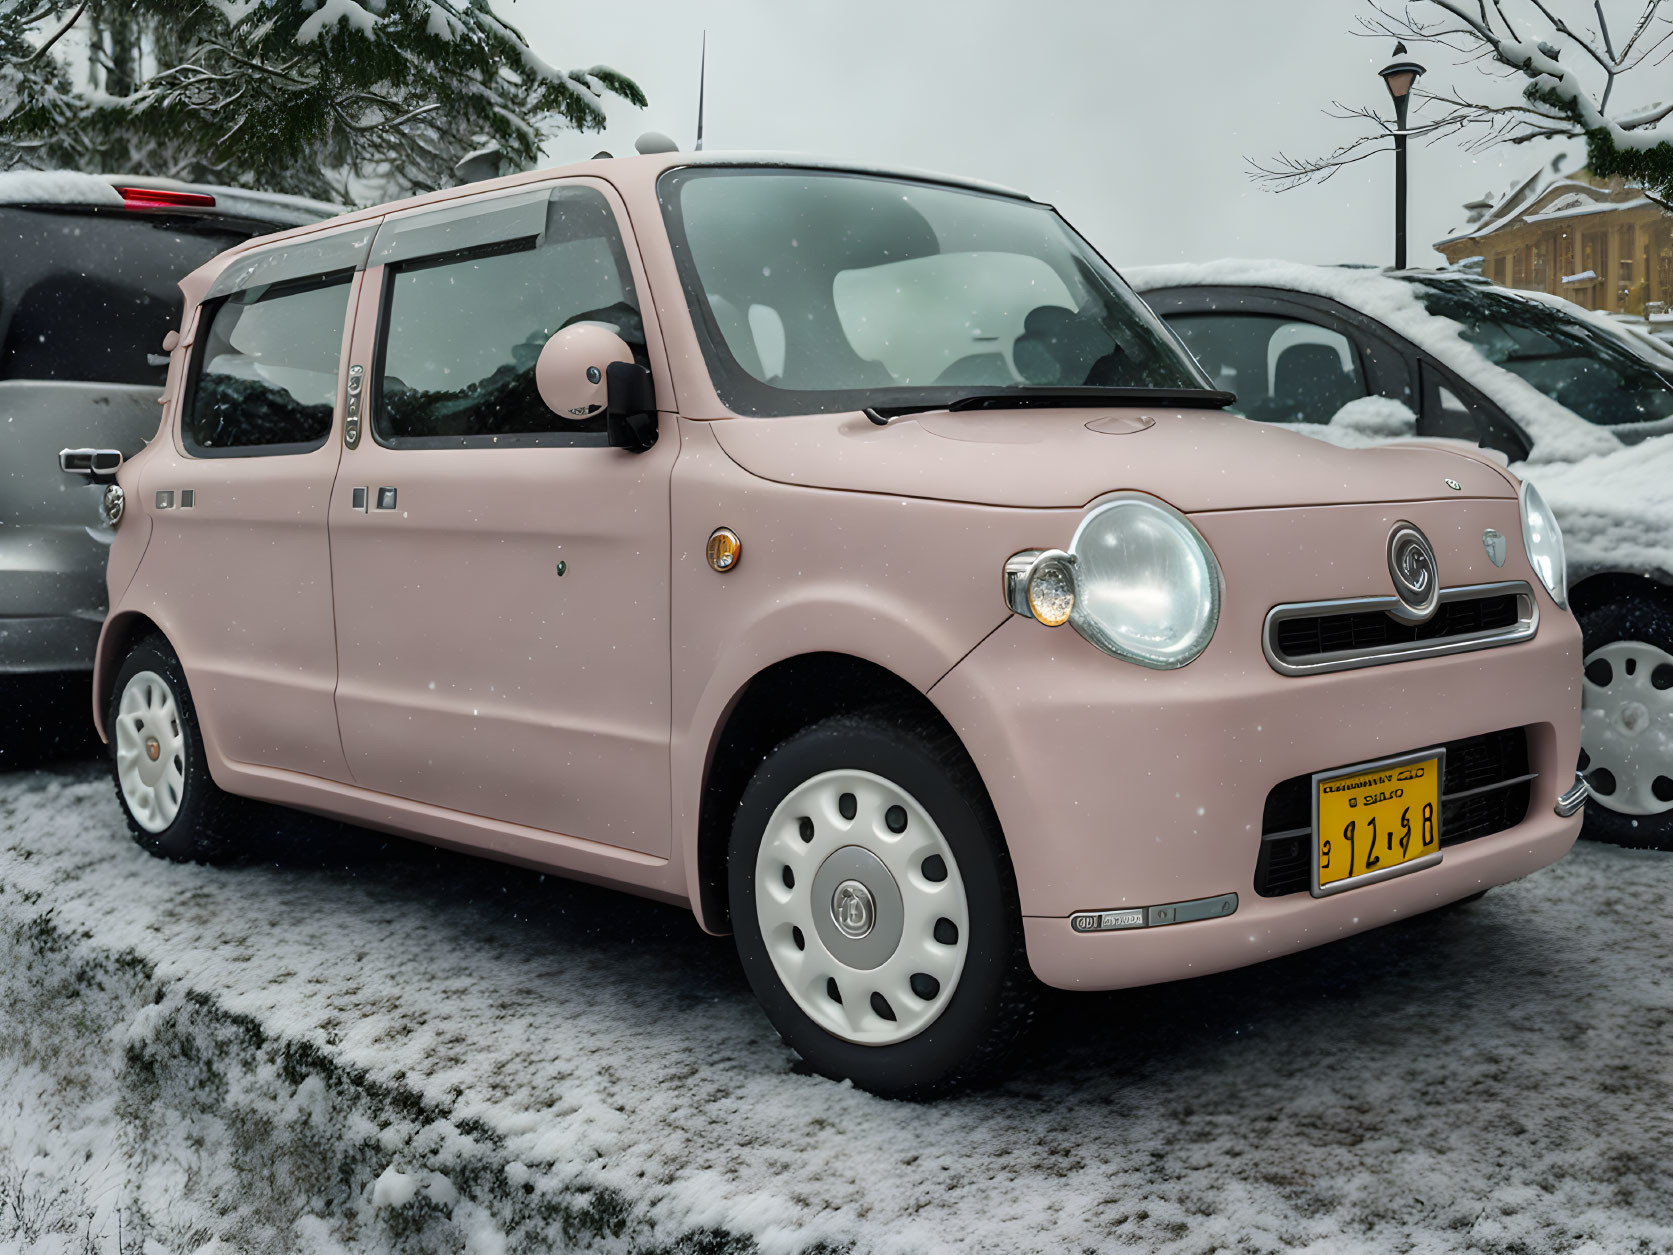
{"points": [[586, 371]]}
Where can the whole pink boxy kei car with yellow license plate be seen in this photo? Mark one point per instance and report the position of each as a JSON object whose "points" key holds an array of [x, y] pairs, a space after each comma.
{"points": [[847, 556]]}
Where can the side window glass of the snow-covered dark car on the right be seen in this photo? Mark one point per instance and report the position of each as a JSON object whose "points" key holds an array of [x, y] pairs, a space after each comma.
{"points": [[1284, 371]]}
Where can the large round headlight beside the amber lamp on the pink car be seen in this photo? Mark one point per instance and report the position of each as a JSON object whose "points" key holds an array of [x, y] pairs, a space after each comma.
{"points": [[1147, 583]]}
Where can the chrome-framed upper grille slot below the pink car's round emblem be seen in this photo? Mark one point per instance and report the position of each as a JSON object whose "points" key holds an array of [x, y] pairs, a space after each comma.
{"points": [[1307, 638]]}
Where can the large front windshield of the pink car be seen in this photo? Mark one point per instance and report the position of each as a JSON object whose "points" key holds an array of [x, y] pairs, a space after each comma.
{"points": [[817, 292]]}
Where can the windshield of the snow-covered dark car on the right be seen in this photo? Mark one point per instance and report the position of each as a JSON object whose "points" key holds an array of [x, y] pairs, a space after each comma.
{"points": [[1573, 362]]}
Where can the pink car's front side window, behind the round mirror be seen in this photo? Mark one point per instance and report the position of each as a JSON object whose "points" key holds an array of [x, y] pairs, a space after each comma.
{"points": [[463, 330]]}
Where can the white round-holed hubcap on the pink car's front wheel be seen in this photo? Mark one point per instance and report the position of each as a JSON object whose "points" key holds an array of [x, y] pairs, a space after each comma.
{"points": [[862, 908]]}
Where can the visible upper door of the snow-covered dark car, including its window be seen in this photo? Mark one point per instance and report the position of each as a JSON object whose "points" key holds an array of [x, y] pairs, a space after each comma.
{"points": [[1289, 357]]}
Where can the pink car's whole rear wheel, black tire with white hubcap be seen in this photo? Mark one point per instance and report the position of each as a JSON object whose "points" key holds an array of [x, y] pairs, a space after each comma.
{"points": [[173, 807]]}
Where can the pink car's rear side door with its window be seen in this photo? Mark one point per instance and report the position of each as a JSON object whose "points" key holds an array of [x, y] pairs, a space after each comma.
{"points": [[240, 553]]}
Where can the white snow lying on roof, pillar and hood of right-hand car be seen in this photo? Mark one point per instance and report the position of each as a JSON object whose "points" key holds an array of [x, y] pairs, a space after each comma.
{"points": [[1614, 503]]}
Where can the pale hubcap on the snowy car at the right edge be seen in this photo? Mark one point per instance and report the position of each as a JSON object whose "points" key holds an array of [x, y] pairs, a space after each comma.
{"points": [[1627, 727]]}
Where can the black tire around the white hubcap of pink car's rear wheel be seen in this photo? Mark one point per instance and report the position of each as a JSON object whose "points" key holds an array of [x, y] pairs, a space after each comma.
{"points": [[208, 822]]}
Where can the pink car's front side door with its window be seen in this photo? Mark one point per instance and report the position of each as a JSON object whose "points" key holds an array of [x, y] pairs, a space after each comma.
{"points": [[501, 575]]}
